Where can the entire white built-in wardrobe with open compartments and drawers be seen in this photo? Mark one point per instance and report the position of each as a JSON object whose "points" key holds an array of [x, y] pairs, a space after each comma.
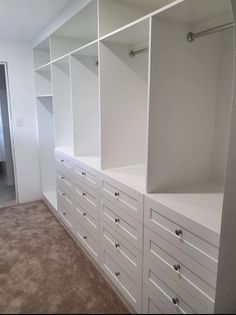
{"points": [[136, 115]]}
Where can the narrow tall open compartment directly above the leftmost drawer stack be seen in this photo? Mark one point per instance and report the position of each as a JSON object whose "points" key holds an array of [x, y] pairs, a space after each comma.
{"points": [[62, 102]]}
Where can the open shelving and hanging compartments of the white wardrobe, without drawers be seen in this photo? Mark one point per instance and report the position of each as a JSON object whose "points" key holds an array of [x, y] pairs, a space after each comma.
{"points": [[121, 88]]}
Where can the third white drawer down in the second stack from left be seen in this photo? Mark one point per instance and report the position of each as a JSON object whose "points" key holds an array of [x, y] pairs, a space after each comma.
{"points": [[87, 217]]}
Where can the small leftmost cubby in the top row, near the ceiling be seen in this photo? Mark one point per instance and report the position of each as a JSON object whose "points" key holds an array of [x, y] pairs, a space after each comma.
{"points": [[42, 53]]}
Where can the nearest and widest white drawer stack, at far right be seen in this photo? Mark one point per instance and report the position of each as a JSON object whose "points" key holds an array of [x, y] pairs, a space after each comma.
{"points": [[180, 263]]}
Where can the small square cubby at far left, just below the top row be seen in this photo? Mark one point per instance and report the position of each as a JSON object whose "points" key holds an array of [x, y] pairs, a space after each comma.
{"points": [[43, 81]]}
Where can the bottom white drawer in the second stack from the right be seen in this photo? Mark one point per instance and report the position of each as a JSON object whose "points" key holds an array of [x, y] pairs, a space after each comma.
{"points": [[127, 282]]}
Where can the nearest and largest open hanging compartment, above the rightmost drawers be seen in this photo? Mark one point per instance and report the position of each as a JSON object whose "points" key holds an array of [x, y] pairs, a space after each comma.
{"points": [[191, 88]]}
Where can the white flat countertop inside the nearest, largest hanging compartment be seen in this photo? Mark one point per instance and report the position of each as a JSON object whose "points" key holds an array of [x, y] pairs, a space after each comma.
{"points": [[202, 203]]}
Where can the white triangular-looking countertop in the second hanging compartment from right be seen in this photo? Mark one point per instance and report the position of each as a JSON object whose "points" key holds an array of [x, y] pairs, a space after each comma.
{"points": [[133, 176]]}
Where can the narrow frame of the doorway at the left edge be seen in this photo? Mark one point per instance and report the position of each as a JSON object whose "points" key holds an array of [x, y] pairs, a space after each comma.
{"points": [[16, 201]]}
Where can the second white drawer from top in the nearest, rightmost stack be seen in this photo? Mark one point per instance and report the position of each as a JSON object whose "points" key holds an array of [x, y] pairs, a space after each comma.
{"points": [[164, 255]]}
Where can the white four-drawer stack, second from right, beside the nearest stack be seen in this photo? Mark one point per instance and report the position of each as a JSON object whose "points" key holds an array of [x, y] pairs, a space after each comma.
{"points": [[122, 238]]}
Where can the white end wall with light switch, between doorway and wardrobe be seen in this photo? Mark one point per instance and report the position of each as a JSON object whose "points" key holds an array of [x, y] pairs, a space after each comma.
{"points": [[19, 57]]}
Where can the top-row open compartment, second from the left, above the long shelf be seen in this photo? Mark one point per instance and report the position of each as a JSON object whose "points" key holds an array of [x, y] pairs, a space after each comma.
{"points": [[78, 31]]}
